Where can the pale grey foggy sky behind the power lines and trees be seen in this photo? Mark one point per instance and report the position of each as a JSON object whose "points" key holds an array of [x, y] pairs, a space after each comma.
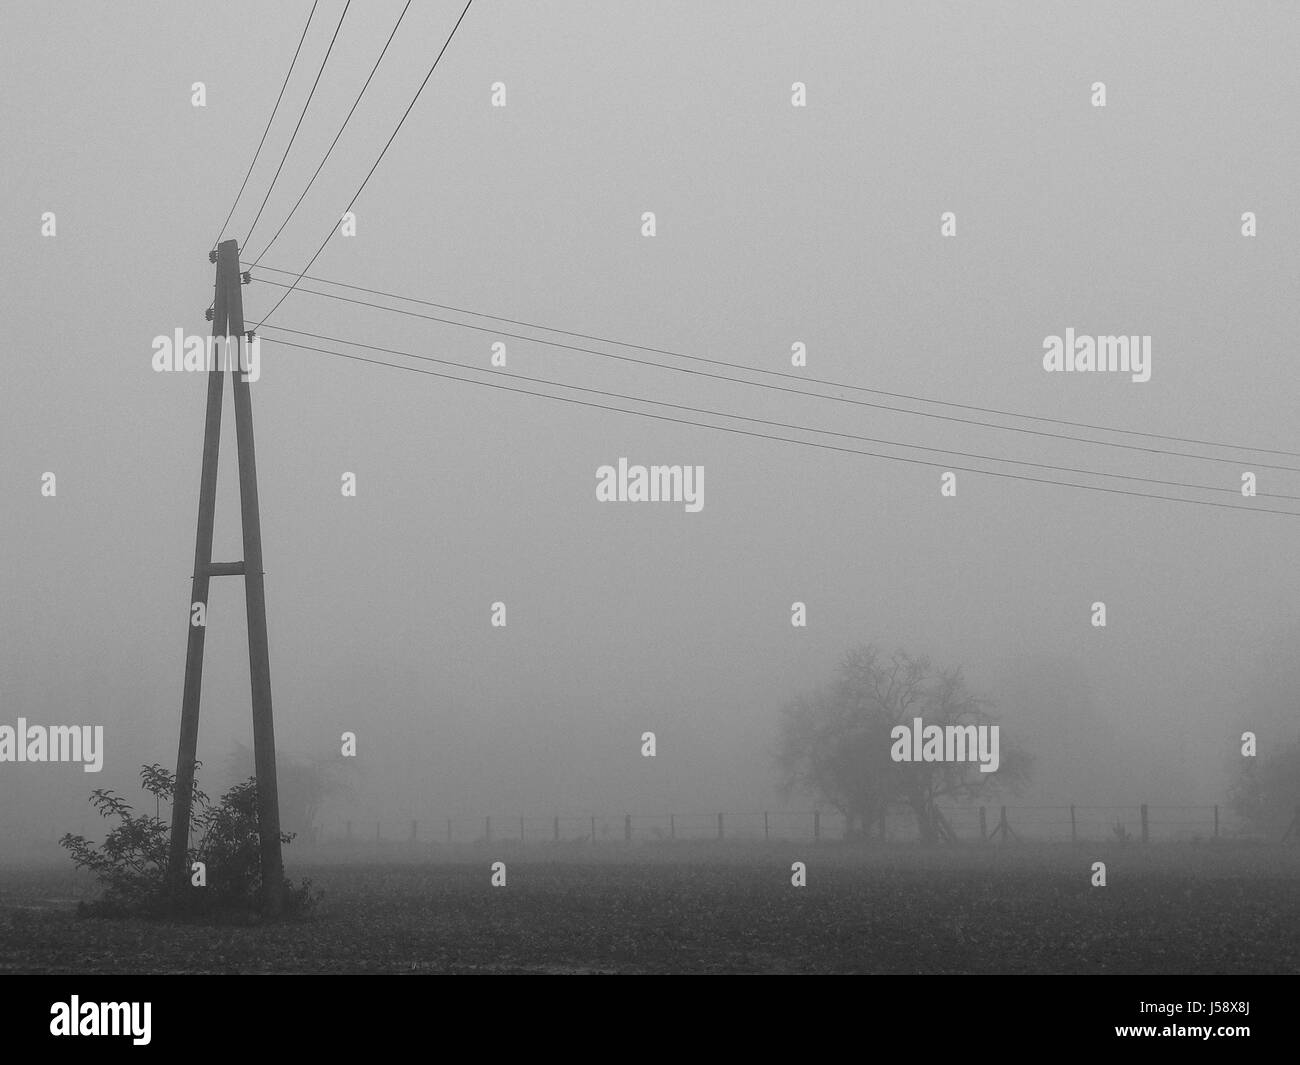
{"points": [[775, 226]]}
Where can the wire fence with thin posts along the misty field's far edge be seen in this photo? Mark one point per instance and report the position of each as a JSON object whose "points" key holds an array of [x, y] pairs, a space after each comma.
{"points": [[1123, 824]]}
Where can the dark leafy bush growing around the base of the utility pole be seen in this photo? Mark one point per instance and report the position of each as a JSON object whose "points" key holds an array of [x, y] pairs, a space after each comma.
{"points": [[132, 864]]}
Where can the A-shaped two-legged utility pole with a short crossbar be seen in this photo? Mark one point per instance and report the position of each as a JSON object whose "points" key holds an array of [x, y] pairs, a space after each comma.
{"points": [[228, 322]]}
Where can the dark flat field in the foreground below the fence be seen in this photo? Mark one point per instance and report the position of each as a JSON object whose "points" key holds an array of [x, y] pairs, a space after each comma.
{"points": [[713, 908]]}
